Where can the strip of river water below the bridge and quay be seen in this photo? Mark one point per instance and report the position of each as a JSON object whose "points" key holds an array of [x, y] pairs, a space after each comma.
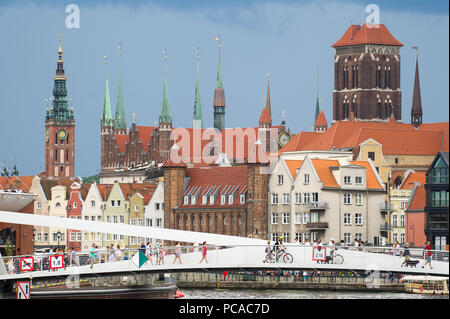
{"points": [[296, 294]]}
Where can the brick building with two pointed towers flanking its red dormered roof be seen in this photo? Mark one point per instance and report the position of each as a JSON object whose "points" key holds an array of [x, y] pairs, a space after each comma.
{"points": [[230, 200]]}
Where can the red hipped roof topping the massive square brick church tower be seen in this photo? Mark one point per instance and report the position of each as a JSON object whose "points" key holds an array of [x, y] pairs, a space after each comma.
{"points": [[367, 34]]}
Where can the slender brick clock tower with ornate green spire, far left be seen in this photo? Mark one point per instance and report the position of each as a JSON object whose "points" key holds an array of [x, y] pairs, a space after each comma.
{"points": [[59, 128]]}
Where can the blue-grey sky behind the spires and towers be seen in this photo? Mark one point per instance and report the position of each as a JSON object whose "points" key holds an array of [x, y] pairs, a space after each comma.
{"points": [[290, 39]]}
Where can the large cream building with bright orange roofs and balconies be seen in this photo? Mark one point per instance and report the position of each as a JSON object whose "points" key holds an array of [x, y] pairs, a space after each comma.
{"points": [[312, 198]]}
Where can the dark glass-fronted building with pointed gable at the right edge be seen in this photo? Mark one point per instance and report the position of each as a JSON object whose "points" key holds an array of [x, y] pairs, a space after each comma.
{"points": [[437, 202]]}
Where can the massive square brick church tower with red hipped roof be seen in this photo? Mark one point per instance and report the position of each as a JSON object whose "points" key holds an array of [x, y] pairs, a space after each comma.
{"points": [[367, 74]]}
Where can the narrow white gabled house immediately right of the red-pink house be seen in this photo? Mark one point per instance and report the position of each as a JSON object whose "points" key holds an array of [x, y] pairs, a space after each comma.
{"points": [[92, 210]]}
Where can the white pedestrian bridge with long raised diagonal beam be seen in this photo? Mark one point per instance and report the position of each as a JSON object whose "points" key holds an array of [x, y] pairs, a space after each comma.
{"points": [[224, 253]]}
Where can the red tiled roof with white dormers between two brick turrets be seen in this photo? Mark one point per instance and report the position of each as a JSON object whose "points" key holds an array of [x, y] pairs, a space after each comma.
{"points": [[218, 181]]}
